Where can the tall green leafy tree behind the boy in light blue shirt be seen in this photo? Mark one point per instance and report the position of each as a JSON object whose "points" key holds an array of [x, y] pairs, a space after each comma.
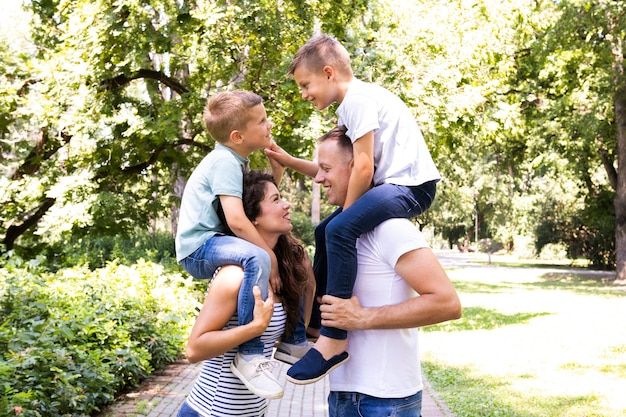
{"points": [[103, 119]]}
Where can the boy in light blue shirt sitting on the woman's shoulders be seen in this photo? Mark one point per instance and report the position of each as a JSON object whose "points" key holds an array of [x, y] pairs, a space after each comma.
{"points": [[212, 211]]}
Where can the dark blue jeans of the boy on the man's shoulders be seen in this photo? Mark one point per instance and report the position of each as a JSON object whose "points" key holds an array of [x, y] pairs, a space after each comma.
{"points": [[341, 230]]}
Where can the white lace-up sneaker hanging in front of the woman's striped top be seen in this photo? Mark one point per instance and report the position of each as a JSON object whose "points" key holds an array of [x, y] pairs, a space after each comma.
{"points": [[257, 376]]}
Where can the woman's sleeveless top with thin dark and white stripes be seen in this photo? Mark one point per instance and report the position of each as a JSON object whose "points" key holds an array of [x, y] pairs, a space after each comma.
{"points": [[218, 392]]}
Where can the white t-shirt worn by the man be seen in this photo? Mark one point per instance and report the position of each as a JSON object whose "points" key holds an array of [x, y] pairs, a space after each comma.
{"points": [[383, 363]]}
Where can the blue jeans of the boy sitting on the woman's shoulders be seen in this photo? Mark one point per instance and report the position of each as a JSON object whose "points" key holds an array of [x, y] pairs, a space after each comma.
{"points": [[224, 250]]}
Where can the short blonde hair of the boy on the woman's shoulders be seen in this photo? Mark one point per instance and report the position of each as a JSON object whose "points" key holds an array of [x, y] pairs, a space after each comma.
{"points": [[228, 111]]}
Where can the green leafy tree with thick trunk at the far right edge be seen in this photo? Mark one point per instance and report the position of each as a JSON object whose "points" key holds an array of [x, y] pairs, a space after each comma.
{"points": [[571, 77]]}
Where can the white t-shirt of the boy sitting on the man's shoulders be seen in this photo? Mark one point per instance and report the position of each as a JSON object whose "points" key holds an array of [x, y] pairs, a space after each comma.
{"points": [[400, 152]]}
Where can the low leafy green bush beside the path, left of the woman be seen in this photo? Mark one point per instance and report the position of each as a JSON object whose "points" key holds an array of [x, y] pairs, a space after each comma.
{"points": [[72, 340]]}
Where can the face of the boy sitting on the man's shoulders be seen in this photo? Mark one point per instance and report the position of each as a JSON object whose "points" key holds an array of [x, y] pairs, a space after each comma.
{"points": [[316, 87]]}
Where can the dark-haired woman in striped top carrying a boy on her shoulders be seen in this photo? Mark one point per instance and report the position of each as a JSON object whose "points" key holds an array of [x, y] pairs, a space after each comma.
{"points": [[216, 335]]}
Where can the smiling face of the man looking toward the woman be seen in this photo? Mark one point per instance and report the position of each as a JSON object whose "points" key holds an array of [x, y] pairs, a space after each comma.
{"points": [[335, 166]]}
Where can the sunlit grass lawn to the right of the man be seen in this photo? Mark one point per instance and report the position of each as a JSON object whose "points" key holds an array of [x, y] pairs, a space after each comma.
{"points": [[535, 340]]}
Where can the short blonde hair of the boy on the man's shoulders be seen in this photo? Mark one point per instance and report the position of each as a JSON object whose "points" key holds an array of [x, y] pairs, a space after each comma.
{"points": [[321, 51]]}
